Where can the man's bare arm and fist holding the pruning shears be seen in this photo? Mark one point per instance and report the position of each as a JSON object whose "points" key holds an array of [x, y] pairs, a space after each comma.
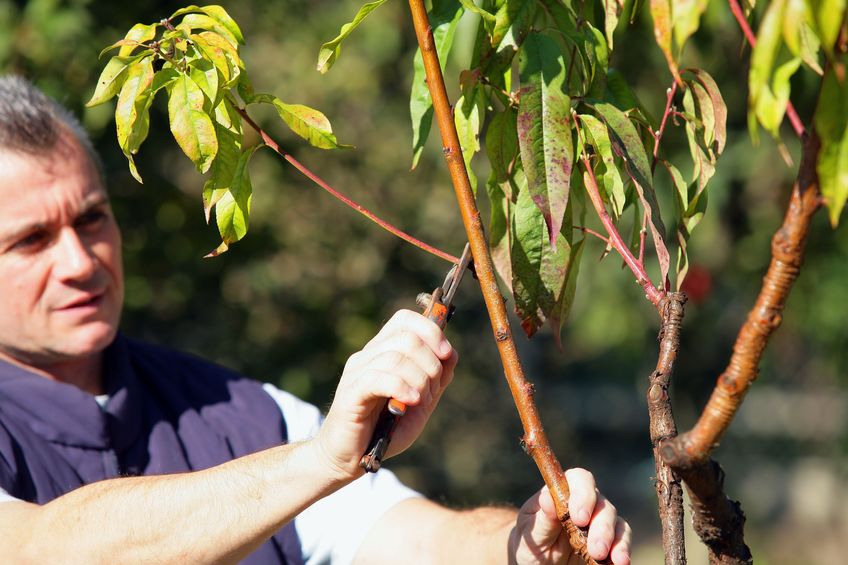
{"points": [[221, 514]]}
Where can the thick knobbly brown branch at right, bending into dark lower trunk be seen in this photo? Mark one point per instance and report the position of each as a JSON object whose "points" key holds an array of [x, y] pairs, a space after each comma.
{"points": [[718, 520]]}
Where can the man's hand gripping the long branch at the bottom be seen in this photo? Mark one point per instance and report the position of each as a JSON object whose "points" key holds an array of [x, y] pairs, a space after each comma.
{"points": [[538, 537]]}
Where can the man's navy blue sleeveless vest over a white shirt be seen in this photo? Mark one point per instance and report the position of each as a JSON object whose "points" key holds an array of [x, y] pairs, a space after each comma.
{"points": [[167, 413]]}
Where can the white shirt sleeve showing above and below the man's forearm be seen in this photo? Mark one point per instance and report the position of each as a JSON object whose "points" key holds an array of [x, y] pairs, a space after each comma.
{"points": [[332, 529]]}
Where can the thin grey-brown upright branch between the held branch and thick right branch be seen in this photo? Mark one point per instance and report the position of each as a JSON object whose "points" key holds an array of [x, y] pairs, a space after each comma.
{"points": [[662, 427]]}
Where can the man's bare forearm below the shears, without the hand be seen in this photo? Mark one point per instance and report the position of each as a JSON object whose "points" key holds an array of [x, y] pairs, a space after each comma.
{"points": [[216, 515]]}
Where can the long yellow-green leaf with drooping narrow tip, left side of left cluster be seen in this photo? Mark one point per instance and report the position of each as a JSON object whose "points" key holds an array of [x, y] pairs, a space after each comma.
{"points": [[132, 119]]}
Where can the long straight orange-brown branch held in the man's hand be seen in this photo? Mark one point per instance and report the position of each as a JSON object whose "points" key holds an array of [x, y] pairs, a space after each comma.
{"points": [[535, 441]]}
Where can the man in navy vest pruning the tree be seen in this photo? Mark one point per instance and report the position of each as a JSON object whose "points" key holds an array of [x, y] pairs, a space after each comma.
{"points": [[116, 451]]}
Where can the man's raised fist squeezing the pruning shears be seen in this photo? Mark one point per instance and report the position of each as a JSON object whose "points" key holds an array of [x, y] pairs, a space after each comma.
{"points": [[410, 360]]}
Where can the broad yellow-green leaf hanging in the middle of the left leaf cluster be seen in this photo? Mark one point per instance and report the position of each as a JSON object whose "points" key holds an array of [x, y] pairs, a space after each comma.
{"points": [[191, 125]]}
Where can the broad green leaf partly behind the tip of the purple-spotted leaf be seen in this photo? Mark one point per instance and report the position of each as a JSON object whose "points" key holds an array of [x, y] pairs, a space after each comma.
{"points": [[539, 271]]}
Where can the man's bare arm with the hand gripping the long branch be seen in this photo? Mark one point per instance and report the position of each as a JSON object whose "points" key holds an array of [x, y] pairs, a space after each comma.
{"points": [[421, 531]]}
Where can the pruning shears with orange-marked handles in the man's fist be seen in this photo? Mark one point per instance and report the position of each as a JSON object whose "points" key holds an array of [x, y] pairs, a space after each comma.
{"points": [[438, 307]]}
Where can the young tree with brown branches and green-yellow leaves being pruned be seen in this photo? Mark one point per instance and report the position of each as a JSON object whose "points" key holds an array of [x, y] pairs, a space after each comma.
{"points": [[568, 144]]}
